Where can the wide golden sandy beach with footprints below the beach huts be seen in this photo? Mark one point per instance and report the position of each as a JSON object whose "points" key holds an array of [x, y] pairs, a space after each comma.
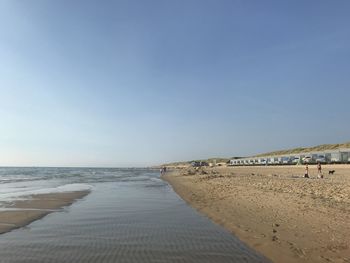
{"points": [[275, 210]]}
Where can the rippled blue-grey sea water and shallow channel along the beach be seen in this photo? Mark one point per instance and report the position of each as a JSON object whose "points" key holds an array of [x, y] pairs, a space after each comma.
{"points": [[131, 215]]}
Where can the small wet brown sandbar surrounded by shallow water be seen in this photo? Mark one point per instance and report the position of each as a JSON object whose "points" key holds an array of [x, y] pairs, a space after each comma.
{"points": [[23, 212]]}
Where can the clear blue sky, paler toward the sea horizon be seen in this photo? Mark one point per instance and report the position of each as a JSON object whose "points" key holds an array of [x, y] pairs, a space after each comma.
{"points": [[139, 83]]}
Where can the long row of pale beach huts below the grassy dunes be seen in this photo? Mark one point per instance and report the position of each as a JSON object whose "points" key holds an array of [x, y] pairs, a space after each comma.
{"points": [[324, 157]]}
